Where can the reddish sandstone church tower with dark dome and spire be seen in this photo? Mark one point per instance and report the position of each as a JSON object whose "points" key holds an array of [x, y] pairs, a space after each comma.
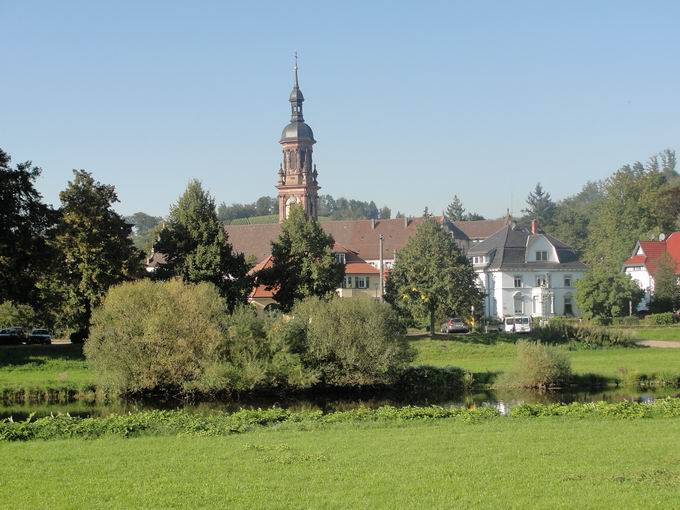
{"points": [[297, 174]]}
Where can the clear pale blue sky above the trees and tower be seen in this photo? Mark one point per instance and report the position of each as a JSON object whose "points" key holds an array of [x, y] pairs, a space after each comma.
{"points": [[410, 102]]}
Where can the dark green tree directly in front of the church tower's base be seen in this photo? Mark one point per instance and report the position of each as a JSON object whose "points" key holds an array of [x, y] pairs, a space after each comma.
{"points": [[302, 262]]}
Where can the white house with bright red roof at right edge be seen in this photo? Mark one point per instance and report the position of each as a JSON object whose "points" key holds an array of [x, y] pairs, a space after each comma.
{"points": [[641, 266]]}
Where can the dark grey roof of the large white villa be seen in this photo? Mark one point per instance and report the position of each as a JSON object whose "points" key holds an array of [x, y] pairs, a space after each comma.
{"points": [[507, 249]]}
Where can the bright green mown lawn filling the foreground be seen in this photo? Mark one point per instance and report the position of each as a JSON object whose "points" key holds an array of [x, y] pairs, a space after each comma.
{"points": [[501, 463]]}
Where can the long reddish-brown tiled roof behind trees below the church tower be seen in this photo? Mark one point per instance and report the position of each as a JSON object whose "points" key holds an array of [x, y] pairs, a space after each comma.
{"points": [[360, 236]]}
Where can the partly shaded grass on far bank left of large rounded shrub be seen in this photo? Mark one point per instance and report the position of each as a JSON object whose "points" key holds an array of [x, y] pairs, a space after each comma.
{"points": [[51, 366]]}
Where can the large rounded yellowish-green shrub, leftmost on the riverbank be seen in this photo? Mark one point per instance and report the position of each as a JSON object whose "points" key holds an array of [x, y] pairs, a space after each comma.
{"points": [[156, 336]]}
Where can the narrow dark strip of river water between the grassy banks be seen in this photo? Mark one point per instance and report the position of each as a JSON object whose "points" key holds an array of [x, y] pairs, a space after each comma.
{"points": [[501, 400]]}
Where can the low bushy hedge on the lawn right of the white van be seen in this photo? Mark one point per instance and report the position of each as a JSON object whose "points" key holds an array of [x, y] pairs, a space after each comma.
{"points": [[561, 331]]}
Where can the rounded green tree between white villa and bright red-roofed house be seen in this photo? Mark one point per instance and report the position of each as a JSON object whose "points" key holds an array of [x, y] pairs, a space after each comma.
{"points": [[603, 295]]}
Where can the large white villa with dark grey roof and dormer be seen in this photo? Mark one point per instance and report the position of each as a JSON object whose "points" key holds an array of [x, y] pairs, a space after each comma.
{"points": [[526, 273]]}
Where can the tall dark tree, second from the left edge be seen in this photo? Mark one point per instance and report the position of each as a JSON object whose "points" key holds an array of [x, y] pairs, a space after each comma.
{"points": [[94, 246]]}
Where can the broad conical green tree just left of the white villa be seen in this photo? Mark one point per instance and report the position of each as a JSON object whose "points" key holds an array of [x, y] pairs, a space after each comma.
{"points": [[431, 277]]}
